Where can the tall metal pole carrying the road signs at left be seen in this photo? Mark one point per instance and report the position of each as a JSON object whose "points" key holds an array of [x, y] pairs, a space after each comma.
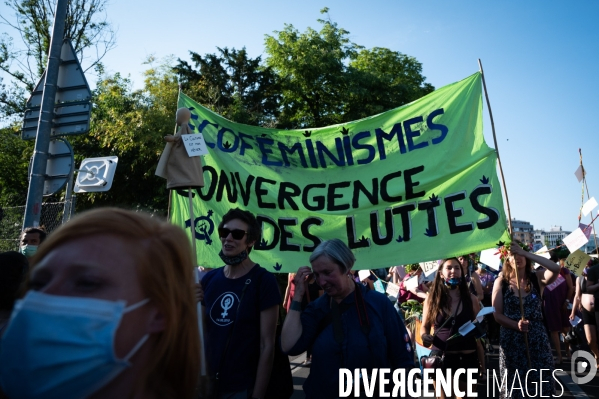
{"points": [[42, 141]]}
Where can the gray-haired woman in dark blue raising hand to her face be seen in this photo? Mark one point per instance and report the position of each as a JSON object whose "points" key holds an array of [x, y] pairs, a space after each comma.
{"points": [[349, 326]]}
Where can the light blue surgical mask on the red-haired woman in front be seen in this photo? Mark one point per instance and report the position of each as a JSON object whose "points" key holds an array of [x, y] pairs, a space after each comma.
{"points": [[62, 347]]}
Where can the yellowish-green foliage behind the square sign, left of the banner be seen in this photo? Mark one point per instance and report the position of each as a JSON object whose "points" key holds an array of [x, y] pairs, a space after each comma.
{"points": [[131, 125]]}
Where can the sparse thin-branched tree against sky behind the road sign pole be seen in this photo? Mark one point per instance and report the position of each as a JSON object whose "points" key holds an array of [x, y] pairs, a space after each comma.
{"points": [[25, 62]]}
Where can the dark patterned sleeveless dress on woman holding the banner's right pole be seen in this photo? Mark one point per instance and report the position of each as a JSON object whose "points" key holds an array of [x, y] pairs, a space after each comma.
{"points": [[512, 349]]}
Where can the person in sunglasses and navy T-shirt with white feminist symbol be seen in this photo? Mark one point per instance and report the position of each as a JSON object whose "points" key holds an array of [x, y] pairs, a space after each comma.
{"points": [[241, 303]]}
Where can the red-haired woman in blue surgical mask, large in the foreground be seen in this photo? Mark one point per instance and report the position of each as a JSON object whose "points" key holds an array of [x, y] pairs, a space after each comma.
{"points": [[109, 313]]}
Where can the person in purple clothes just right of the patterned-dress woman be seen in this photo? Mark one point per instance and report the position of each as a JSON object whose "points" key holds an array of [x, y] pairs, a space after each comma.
{"points": [[556, 298]]}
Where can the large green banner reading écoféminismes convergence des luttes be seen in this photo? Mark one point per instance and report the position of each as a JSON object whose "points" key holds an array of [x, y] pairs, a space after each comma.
{"points": [[412, 184]]}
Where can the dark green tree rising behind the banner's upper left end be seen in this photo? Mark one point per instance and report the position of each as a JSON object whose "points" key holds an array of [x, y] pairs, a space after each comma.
{"points": [[232, 84]]}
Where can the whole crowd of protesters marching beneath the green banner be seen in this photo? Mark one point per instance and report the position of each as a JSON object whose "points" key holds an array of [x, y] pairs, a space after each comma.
{"points": [[107, 307]]}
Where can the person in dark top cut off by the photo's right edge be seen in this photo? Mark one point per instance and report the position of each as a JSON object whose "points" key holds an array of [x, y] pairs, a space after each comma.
{"points": [[584, 301]]}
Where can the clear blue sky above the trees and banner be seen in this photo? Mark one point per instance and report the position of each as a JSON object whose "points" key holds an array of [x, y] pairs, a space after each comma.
{"points": [[540, 60]]}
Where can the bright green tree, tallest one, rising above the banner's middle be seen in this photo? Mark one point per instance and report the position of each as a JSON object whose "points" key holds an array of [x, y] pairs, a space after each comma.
{"points": [[313, 73]]}
